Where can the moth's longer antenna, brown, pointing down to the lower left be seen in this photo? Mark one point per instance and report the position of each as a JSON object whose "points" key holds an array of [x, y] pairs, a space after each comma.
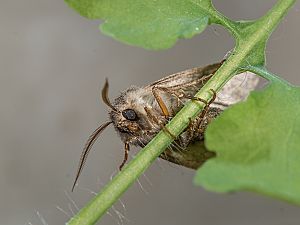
{"points": [[87, 149]]}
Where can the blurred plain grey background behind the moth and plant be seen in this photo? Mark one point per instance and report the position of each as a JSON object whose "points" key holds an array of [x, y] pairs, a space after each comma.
{"points": [[53, 63]]}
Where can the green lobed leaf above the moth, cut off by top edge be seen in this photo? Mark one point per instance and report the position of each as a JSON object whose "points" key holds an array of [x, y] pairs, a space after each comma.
{"points": [[152, 24]]}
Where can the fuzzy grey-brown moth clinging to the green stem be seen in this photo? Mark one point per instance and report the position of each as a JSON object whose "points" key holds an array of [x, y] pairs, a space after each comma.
{"points": [[139, 113]]}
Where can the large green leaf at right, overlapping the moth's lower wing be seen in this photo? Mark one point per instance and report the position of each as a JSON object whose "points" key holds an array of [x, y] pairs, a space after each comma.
{"points": [[257, 145]]}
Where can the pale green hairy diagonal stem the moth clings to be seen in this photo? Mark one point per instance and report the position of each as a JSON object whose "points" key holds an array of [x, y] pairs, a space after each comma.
{"points": [[122, 181]]}
